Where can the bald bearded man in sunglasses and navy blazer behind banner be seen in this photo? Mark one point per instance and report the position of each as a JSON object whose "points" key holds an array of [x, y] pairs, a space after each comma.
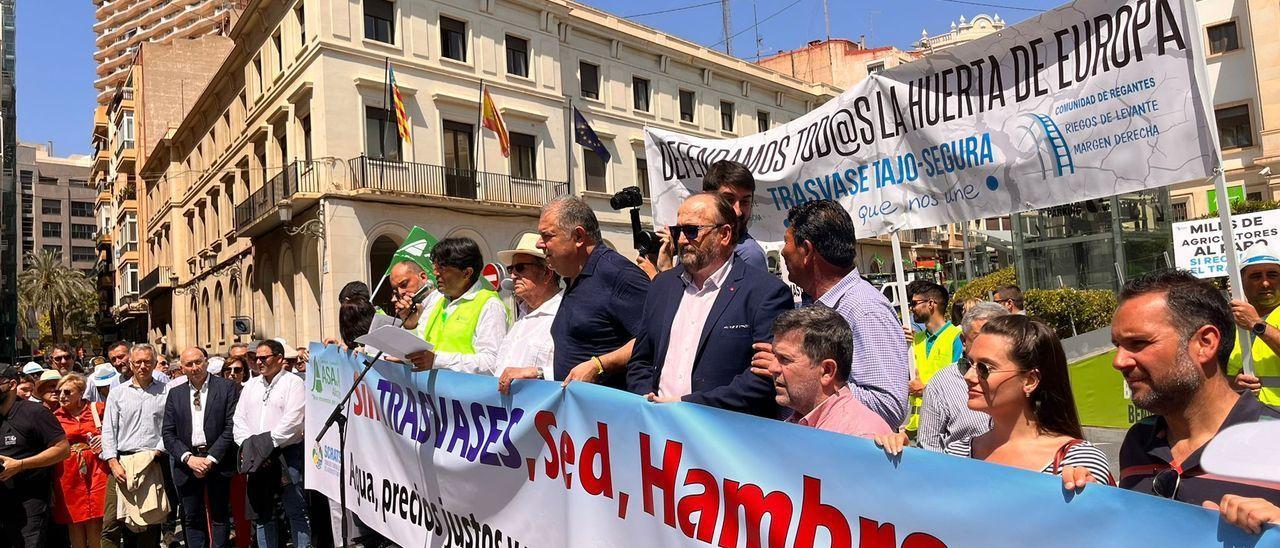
{"points": [[702, 318]]}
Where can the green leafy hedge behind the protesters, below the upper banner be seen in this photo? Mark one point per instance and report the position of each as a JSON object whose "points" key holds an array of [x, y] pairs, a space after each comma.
{"points": [[1090, 309]]}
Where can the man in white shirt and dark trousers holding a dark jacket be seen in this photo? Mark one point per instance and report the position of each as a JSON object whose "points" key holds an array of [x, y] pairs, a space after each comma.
{"points": [[273, 405]]}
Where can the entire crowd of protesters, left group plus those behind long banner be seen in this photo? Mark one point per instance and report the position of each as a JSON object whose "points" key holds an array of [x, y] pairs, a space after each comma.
{"points": [[109, 449]]}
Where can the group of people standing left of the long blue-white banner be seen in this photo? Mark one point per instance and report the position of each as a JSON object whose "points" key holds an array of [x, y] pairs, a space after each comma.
{"points": [[129, 450]]}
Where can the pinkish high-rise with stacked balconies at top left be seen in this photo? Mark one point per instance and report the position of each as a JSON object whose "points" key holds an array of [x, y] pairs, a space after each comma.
{"points": [[125, 25]]}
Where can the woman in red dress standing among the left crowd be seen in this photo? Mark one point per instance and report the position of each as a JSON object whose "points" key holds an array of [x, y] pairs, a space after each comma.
{"points": [[83, 478]]}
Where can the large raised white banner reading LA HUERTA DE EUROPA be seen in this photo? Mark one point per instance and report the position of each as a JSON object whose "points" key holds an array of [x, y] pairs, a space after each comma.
{"points": [[1094, 99]]}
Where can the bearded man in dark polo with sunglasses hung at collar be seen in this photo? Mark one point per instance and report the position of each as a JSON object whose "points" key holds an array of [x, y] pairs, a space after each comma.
{"points": [[1173, 336]]}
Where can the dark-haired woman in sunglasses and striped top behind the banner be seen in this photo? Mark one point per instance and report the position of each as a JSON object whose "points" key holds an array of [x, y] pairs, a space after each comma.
{"points": [[1017, 373]]}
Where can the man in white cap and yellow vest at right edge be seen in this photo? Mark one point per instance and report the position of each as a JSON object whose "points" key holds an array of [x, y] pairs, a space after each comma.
{"points": [[1260, 271]]}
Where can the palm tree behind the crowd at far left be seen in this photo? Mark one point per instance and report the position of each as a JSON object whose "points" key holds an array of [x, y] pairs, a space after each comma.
{"points": [[54, 290]]}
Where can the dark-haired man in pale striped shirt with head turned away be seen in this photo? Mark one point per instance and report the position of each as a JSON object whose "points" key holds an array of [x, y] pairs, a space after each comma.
{"points": [[820, 258]]}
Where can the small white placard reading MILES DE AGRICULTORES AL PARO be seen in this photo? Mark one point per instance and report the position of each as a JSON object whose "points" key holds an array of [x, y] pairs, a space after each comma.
{"points": [[1199, 244]]}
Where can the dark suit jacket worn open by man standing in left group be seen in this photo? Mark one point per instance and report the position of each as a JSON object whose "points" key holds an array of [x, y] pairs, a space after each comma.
{"points": [[220, 408]]}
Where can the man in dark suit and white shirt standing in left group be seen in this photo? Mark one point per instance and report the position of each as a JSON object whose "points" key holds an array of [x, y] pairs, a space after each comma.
{"points": [[204, 458]]}
